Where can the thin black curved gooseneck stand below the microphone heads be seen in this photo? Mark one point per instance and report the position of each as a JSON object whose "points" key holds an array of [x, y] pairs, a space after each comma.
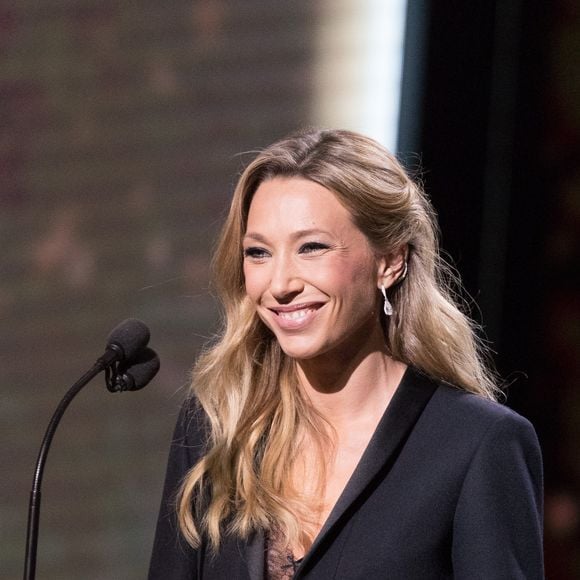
{"points": [[103, 363]]}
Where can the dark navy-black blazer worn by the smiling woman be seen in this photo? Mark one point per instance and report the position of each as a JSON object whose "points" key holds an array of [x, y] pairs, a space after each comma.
{"points": [[450, 486]]}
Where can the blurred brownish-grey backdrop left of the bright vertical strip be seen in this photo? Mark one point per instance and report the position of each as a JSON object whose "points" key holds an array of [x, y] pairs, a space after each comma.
{"points": [[120, 128]]}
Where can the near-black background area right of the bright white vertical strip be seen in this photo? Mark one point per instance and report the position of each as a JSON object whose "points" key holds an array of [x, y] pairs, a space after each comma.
{"points": [[498, 137]]}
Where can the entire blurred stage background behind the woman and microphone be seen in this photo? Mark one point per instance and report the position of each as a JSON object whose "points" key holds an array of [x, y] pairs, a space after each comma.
{"points": [[123, 126]]}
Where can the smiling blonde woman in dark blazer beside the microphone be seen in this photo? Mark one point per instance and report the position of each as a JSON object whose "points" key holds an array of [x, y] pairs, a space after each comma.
{"points": [[344, 424]]}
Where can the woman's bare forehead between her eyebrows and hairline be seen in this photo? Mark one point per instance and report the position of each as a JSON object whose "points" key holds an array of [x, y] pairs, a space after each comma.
{"points": [[296, 202]]}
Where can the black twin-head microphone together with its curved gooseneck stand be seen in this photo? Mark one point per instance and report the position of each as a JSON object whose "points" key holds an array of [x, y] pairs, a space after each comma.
{"points": [[129, 365]]}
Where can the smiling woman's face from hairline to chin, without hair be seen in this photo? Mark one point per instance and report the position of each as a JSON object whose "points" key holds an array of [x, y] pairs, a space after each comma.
{"points": [[309, 271]]}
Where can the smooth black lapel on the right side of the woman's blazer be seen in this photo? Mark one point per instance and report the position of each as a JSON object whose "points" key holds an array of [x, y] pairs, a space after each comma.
{"points": [[403, 411]]}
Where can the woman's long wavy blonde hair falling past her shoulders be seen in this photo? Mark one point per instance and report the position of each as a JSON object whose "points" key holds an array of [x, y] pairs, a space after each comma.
{"points": [[247, 386]]}
